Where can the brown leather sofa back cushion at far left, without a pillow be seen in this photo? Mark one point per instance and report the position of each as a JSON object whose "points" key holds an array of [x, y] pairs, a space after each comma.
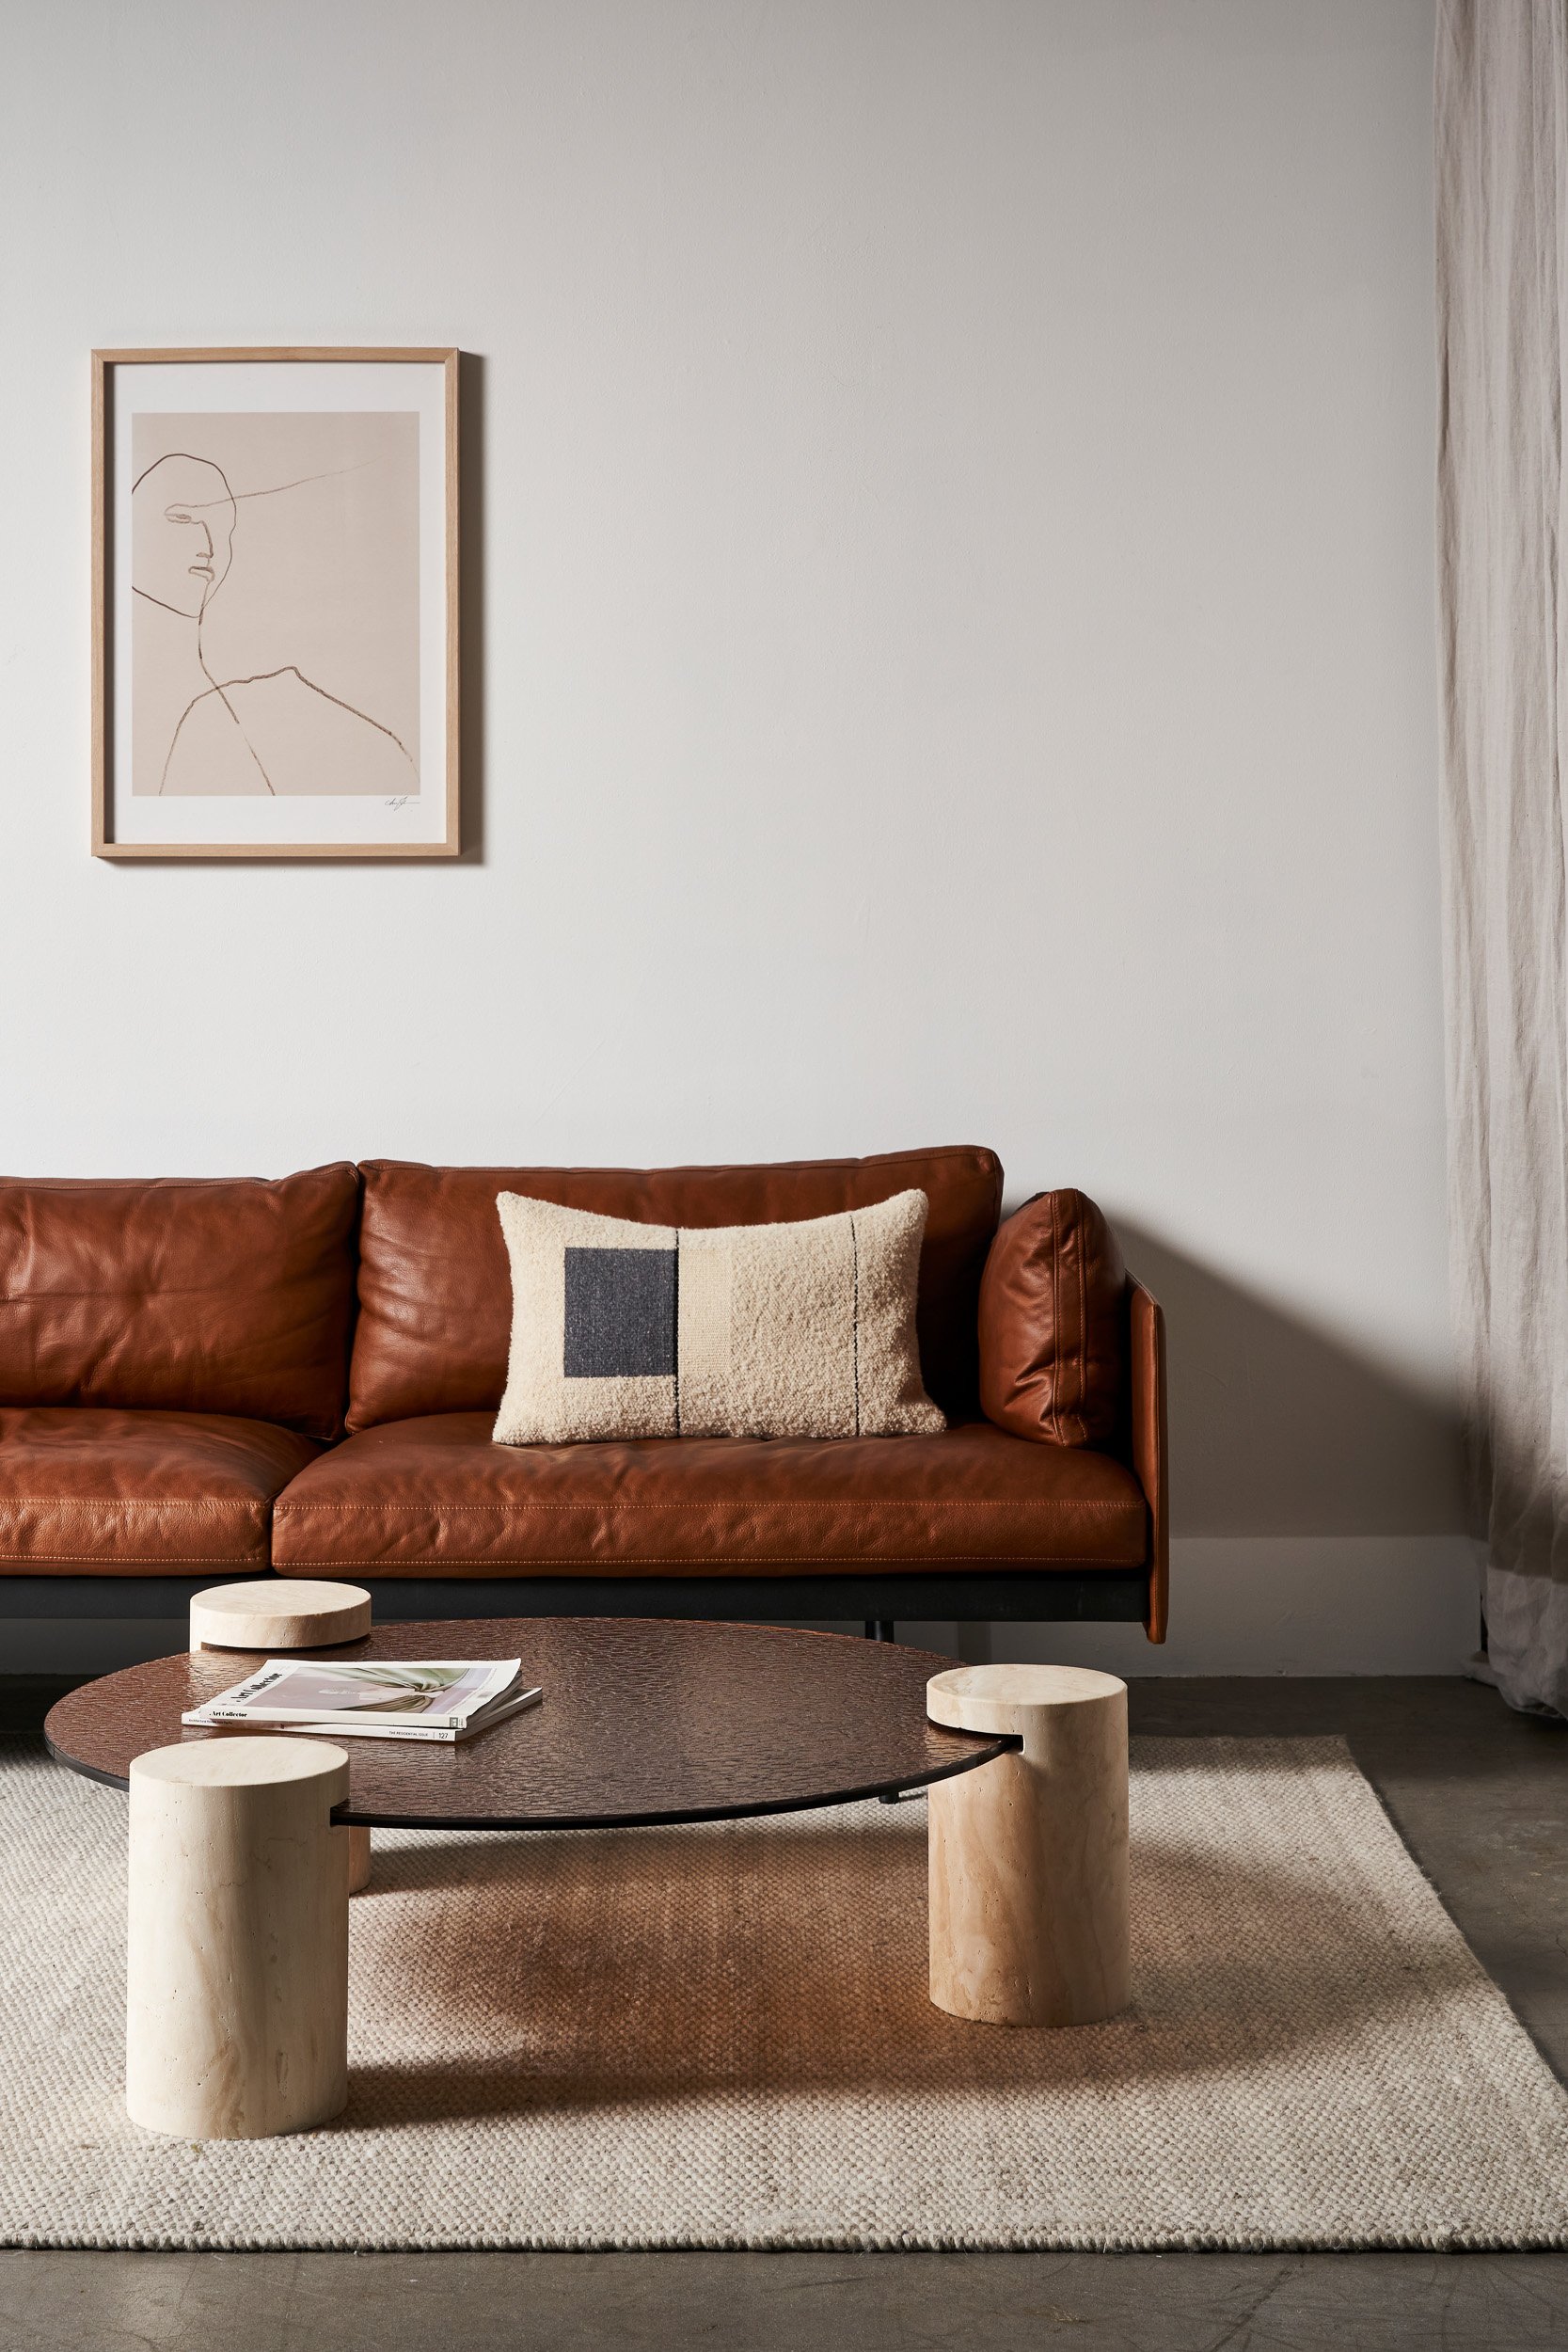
{"points": [[182, 1295]]}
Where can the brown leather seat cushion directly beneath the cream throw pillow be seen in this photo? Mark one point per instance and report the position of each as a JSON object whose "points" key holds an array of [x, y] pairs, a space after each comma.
{"points": [[434, 1495]]}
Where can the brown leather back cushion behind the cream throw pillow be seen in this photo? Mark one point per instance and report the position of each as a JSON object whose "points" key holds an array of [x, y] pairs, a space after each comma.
{"points": [[436, 1299]]}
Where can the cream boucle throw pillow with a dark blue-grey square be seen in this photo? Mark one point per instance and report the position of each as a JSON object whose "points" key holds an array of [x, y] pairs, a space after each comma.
{"points": [[631, 1330]]}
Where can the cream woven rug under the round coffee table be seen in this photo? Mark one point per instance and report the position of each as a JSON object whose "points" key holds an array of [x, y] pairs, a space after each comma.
{"points": [[721, 2038]]}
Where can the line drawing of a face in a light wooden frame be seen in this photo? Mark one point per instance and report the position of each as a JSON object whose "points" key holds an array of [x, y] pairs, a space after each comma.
{"points": [[276, 603]]}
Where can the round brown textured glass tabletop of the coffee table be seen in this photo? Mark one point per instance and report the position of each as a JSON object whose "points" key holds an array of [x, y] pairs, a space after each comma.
{"points": [[643, 1720]]}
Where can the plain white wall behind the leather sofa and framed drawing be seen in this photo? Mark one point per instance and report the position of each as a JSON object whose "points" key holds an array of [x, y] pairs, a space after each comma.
{"points": [[951, 582]]}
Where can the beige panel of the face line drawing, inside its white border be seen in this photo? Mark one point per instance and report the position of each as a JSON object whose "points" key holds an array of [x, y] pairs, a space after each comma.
{"points": [[213, 711]]}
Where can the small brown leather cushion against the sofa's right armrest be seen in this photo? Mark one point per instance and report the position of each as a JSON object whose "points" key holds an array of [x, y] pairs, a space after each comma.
{"points": [[1054, 1325]]}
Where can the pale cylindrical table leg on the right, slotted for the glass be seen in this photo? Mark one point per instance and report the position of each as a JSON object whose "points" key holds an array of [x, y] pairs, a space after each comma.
{"points": [[1028, 1857]]}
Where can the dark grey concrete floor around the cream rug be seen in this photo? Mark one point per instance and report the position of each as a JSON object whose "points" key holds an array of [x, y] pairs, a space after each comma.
{"points": [[1480, 1796]]}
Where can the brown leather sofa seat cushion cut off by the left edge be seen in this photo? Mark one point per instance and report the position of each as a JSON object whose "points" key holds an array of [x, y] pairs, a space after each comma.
{"points": [[138, 1495]]}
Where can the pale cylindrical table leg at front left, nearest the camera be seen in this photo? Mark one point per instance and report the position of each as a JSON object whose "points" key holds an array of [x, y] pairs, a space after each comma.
{"points": [[239, 1939]]}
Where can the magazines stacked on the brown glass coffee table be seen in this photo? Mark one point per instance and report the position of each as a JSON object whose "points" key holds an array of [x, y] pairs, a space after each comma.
{"points": [[382, 1699]]}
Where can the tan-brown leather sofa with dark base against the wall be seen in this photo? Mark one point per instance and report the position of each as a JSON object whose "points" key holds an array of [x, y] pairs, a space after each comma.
{"points": [[208, 1379]]}
